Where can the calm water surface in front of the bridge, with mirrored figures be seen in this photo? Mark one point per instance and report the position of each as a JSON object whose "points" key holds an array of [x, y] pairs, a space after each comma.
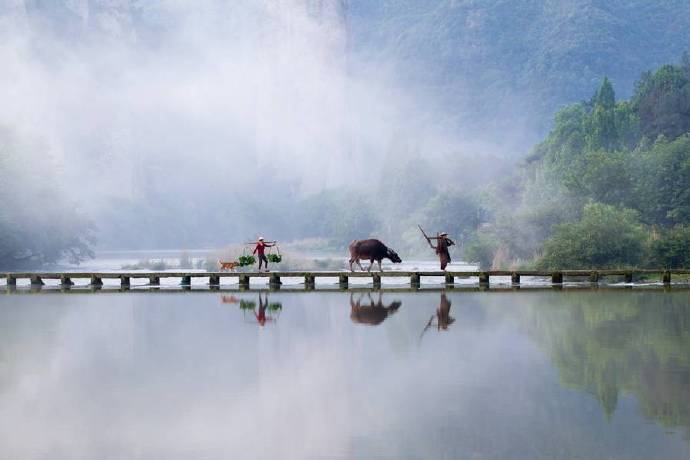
{"points": [[205, 375]]}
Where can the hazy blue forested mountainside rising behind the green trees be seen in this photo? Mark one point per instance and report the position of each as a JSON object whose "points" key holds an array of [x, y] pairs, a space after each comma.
{"points": [[506, 65]]}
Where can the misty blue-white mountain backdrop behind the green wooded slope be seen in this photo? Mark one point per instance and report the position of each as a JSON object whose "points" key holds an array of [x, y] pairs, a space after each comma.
{"points": [[186, 124]]}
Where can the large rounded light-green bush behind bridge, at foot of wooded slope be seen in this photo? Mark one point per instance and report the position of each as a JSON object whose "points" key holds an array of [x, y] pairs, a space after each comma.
{"points": [[603, 237]]}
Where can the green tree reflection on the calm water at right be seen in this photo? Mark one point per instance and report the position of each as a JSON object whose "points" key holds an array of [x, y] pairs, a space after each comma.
{"points": [[639, 347]]}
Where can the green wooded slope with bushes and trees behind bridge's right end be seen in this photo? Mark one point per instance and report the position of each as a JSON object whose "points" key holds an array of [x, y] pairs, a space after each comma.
{"points": [[608, 187]]}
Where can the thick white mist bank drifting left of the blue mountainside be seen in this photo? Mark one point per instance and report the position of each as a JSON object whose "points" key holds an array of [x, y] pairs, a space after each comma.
{"points": [[207, 123]]}
